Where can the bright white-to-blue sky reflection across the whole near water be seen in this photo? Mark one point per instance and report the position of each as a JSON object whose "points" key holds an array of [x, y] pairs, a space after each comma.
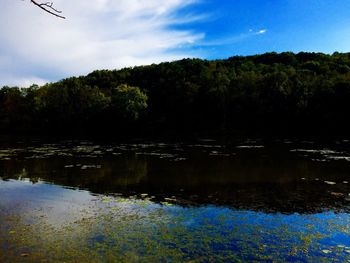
{"points": [[121, 225]]}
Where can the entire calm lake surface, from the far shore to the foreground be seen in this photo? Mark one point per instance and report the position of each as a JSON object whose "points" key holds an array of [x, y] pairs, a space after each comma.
{"points": [[83, 201]]}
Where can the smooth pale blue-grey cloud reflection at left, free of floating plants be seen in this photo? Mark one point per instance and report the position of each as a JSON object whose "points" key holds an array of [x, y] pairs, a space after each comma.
{"points": [[56, 203]]}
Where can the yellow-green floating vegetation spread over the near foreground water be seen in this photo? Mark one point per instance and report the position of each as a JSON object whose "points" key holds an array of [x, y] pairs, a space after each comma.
{"points": [[121, 229]]}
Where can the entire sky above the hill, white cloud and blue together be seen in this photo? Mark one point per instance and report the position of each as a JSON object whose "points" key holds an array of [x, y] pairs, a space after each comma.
{"points": [[36, 47]]}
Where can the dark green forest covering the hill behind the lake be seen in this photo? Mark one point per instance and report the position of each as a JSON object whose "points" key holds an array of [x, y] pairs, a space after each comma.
{"points": [[273, 94]]}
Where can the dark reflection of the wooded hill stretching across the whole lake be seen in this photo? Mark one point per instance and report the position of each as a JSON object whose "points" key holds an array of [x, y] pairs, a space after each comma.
{"points": [[245, 182]]}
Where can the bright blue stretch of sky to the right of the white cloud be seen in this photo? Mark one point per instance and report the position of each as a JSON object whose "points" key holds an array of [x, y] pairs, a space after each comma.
{"points": [[285, 25]]}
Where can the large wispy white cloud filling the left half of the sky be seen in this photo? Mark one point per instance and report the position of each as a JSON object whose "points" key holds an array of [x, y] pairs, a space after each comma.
{"points": [[35, 46]]}
